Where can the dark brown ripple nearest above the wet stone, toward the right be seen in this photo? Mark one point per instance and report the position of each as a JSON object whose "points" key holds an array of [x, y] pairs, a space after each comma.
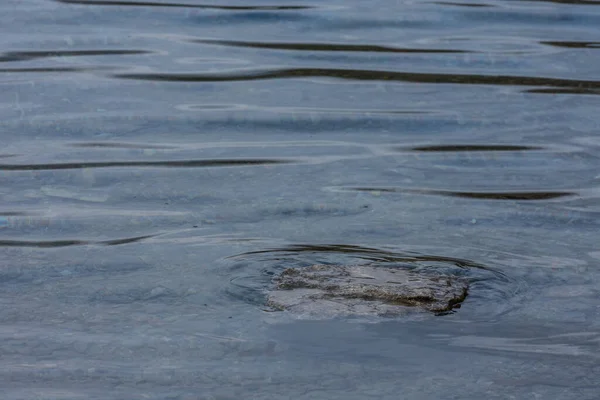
{"points": [[542, 195]]}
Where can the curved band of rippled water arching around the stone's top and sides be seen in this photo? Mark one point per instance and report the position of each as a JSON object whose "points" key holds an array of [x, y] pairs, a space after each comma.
{"points": [[251, 273]]}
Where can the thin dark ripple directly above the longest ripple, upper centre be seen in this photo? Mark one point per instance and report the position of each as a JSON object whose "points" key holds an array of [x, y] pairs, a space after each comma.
{"points": [[325, 47]]}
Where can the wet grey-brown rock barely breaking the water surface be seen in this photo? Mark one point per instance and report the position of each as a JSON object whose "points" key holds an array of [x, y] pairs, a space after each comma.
{"points": [[337, 290]]}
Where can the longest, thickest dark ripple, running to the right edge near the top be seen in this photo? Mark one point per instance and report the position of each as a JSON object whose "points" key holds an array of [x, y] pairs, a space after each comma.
{"points": [[366, 75]]}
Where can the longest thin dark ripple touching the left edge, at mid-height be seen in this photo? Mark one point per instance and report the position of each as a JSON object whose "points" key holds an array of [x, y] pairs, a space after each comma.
{"points": [[168, 164]]}
